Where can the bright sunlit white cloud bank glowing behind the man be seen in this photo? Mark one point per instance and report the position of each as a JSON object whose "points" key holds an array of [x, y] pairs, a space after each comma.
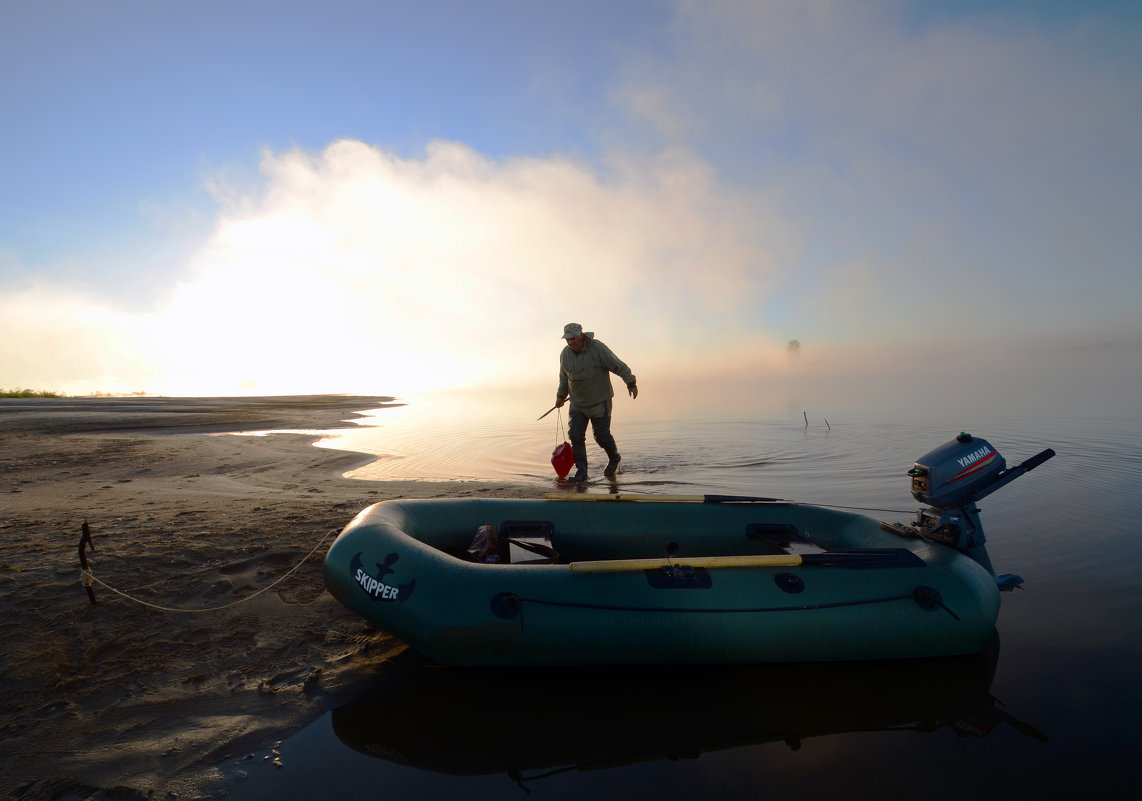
{"points": [[355, 270]]}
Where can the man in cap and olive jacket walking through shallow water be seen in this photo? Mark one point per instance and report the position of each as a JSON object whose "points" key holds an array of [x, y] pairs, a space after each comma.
{"points": [[585, 369]]}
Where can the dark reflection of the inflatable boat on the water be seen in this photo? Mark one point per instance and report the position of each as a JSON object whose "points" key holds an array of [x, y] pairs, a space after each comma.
{"points": [[478, 722]]}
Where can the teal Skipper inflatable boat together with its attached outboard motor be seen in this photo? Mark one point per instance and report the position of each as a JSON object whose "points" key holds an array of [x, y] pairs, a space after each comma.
{"points": [[594, 580]]}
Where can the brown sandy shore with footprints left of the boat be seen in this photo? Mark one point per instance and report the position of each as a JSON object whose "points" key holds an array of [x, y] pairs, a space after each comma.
{"points": [[122, 700]]}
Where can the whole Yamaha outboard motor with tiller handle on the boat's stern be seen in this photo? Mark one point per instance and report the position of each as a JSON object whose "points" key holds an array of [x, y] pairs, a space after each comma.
{"points": [[951, 479]]}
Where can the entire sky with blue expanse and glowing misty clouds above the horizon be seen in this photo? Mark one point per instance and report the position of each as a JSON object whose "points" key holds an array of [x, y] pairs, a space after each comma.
{"points": [[762, 207]]}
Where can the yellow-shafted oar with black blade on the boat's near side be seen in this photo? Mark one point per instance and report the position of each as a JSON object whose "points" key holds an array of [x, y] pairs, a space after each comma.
{"points": [[855, 558]]}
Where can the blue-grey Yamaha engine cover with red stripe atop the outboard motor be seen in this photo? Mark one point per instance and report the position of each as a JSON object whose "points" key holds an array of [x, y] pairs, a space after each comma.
{"points": [[958, 472]]}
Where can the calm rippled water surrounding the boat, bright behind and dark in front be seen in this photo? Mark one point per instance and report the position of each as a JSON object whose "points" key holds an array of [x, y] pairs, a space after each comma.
{"points": [[1051, 711]]}
